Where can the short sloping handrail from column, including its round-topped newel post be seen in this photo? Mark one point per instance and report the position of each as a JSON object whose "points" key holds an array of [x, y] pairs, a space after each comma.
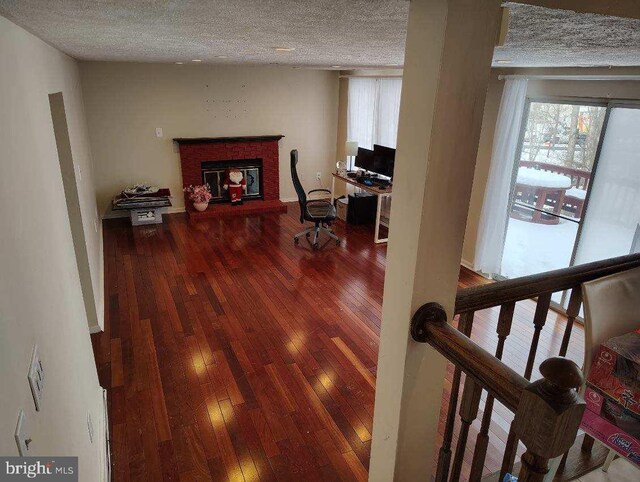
{"points": [[547, 412]]}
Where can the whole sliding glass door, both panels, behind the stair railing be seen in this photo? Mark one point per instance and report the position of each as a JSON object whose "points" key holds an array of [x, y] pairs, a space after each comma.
{"points": [[575, 195]]}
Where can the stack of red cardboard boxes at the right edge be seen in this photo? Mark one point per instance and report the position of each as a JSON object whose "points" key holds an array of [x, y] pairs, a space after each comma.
{"points": [[612, 415]]}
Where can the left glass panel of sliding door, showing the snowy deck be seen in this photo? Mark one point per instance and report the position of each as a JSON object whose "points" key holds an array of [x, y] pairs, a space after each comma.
{"points": [[551, 182]]}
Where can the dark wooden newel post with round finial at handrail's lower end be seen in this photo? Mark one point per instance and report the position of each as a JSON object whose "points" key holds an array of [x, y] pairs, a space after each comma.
{"points": [[548, 416]]}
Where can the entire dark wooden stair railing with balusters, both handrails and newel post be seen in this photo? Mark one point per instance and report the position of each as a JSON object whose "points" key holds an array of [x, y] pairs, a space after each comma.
{"points": [[529, 402]]}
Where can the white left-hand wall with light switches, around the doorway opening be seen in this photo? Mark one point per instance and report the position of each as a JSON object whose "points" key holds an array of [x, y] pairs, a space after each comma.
{"points": [[40, 296]]}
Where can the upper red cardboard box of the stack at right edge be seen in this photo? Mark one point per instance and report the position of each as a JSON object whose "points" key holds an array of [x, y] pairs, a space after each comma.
{"points": [[615, 370]]}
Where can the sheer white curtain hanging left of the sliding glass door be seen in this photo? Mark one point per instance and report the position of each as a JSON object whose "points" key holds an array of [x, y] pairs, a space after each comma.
{"points": [[495, 215]]}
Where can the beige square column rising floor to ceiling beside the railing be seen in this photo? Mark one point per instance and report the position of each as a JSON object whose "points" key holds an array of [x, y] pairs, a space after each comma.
{"points": [[447, 64]]}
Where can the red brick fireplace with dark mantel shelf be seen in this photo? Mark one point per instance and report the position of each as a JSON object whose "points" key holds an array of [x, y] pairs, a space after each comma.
{"points": [[201, 157]]}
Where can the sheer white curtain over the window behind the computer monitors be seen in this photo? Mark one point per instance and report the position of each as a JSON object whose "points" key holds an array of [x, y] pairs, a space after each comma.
{"points": [[373, 110]]}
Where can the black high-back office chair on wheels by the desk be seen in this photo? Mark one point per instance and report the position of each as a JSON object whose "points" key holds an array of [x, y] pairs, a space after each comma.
{"points": [[319, 212]]}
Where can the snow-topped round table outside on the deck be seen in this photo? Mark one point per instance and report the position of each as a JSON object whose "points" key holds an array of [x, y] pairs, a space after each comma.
{"points": [[540, 189]]}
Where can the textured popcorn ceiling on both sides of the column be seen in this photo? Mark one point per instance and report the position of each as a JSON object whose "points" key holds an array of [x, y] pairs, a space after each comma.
{"points": [[324, 33]]}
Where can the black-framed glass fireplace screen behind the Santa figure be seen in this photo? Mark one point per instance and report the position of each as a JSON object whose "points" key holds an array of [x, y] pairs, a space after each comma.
{"points": [[214, 174]]}
